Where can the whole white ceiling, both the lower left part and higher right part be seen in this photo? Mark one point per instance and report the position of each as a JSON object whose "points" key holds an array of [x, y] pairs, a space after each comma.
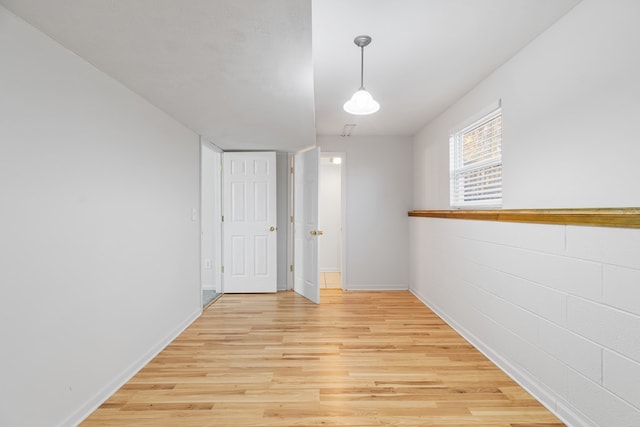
{"points": [[272, 74]]}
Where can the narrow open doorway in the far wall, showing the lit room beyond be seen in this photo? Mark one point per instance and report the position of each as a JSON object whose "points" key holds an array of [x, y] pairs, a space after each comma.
{"points": [[331, 208]]}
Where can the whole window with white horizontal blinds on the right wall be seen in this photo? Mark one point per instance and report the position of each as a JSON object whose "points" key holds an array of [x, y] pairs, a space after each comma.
{"points": [[476, 163]]}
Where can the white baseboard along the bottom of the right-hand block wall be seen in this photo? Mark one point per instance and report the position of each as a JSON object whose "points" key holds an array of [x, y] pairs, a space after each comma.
{"points": [[549, 399]]}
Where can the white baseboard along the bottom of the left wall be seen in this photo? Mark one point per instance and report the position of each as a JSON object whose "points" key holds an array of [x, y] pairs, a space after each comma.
{"points": [[92, 404]]}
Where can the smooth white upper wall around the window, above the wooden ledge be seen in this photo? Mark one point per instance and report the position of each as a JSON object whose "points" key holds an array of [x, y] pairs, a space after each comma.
{"points": [[570, 108]]}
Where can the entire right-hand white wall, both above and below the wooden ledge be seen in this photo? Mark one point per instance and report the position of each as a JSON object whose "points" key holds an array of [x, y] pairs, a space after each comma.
{"points": [[553, 305]]}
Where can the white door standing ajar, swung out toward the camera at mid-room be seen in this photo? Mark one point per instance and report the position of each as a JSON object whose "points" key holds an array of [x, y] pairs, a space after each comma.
{"points": [[306, 233]]}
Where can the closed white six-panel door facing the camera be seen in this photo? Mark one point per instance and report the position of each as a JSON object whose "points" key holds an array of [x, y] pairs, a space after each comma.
{"points": [[249, 213]]}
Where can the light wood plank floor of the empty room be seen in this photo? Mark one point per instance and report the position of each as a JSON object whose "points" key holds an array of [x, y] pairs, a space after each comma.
{"points": [[357, 359]]}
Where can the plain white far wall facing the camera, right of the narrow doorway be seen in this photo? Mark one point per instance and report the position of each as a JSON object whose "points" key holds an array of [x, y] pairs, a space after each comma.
{"points": [[378, 197]]}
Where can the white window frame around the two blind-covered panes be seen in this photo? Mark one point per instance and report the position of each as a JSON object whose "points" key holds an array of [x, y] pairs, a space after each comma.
{"points": [[456, 139]]}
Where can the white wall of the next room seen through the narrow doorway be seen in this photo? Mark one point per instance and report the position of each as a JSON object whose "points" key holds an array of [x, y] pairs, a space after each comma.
{"points": [[330, 215]]}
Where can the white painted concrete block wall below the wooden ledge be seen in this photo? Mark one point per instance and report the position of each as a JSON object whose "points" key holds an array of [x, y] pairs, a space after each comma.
{"points": [[557, 307]]}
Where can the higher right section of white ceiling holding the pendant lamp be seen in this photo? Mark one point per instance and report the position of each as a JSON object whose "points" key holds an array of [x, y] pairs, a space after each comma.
{"points": [[424, 54]]}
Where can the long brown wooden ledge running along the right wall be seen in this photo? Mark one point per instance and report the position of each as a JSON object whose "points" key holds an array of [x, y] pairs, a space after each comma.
{"points": [[604, 217]]}
